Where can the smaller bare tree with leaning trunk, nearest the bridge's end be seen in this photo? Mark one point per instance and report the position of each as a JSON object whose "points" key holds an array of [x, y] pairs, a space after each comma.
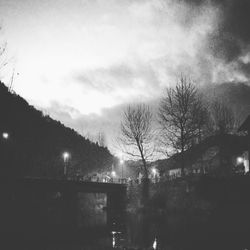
{"points": [[137, 134]]}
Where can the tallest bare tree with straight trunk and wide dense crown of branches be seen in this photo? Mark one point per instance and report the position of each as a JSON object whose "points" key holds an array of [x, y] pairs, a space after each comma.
{"points": [[181, 117]]}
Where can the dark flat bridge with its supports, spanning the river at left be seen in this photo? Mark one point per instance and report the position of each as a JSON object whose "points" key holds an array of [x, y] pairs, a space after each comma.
{"points": [[32, 202]]}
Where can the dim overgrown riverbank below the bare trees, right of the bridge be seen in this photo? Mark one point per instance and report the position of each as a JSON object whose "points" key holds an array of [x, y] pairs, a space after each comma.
{"points": [[178, 196]]}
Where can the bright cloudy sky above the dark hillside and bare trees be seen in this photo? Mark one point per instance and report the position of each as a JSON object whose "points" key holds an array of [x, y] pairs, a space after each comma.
{"points": [[83, 61]]}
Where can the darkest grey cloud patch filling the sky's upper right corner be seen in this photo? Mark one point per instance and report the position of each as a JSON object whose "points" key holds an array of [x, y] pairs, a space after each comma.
{"points": [[233, 32]]}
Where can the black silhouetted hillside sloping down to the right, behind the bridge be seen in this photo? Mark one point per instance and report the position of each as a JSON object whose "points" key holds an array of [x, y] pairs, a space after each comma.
{"points": [[36, 143]]}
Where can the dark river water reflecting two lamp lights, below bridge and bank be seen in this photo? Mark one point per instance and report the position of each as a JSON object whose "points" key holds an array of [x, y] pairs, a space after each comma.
{"points": [[161, 231]]}
